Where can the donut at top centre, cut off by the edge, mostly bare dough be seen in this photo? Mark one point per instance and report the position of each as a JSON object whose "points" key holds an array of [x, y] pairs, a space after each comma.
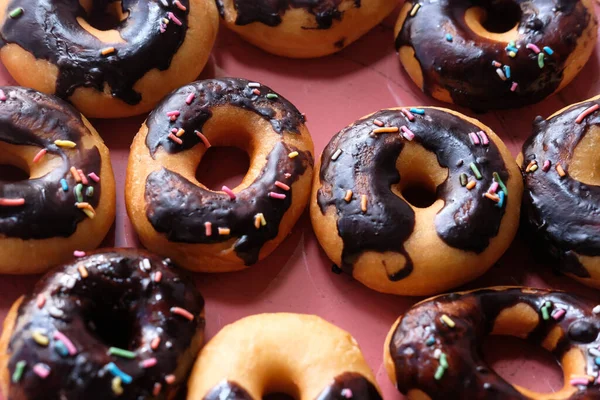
{"points": [[303, 29]]}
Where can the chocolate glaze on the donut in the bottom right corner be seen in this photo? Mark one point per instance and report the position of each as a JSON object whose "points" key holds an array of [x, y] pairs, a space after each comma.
{"points": [[474, 314]]}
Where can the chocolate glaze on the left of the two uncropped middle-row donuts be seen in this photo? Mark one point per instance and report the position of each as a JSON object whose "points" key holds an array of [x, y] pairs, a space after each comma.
{"points": [[179, 208]]}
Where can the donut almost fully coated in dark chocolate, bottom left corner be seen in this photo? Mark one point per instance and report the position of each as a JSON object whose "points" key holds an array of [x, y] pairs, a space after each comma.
{"points": [[113, 324]]}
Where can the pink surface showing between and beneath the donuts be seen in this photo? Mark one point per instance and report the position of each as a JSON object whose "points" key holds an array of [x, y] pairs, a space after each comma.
{"points": [[333, 92]]}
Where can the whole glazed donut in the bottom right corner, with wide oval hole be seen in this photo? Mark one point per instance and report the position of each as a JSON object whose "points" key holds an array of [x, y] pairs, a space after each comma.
{"points": [[434, 350]]}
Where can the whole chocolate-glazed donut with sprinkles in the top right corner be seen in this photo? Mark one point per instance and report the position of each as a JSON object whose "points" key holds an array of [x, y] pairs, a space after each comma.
{"points": [[494, 54]]}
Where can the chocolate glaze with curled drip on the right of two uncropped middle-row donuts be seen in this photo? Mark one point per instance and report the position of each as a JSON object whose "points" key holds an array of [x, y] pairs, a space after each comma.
{"points": [[367, 165]]}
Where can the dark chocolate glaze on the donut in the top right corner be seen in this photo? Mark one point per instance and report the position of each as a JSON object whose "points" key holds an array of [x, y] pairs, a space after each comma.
{"points": [[463, 66]]}
